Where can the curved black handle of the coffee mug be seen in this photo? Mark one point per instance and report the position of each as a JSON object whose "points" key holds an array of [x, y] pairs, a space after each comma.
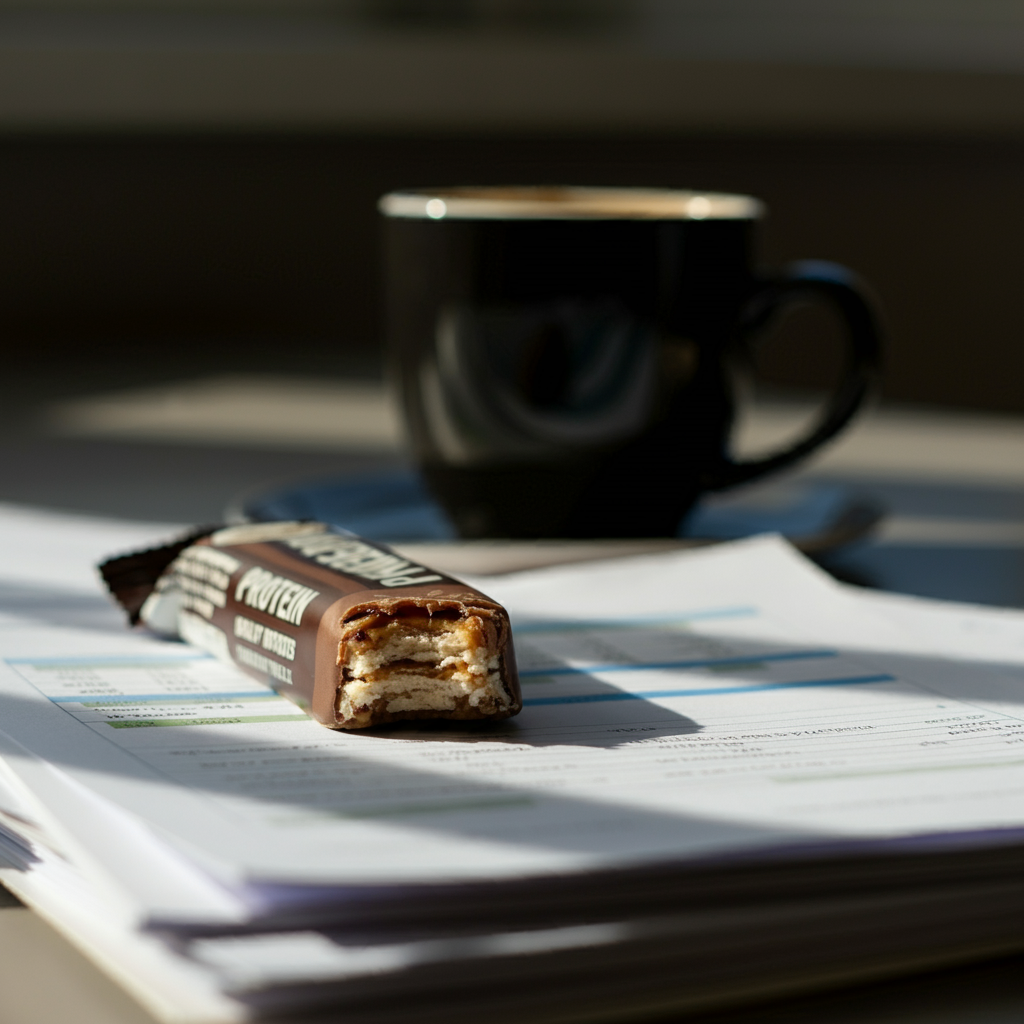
{"points": [[836, 287]]}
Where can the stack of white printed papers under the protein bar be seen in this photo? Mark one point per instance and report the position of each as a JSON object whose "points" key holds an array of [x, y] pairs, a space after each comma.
{"points": [[733, 777]]}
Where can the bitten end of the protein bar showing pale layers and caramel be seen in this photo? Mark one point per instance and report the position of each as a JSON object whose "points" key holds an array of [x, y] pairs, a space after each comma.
{"points": [[420, 666]]}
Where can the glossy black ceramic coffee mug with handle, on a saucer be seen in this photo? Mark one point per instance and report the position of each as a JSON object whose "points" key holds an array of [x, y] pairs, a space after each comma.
{"points": [[563, 355]]}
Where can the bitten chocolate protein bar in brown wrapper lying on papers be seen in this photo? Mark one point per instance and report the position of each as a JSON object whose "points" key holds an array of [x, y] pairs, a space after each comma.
{"points": [[353, 632]]}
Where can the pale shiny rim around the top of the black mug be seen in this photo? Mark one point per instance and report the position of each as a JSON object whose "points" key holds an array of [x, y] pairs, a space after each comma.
{"points": [[567, 203]]}
